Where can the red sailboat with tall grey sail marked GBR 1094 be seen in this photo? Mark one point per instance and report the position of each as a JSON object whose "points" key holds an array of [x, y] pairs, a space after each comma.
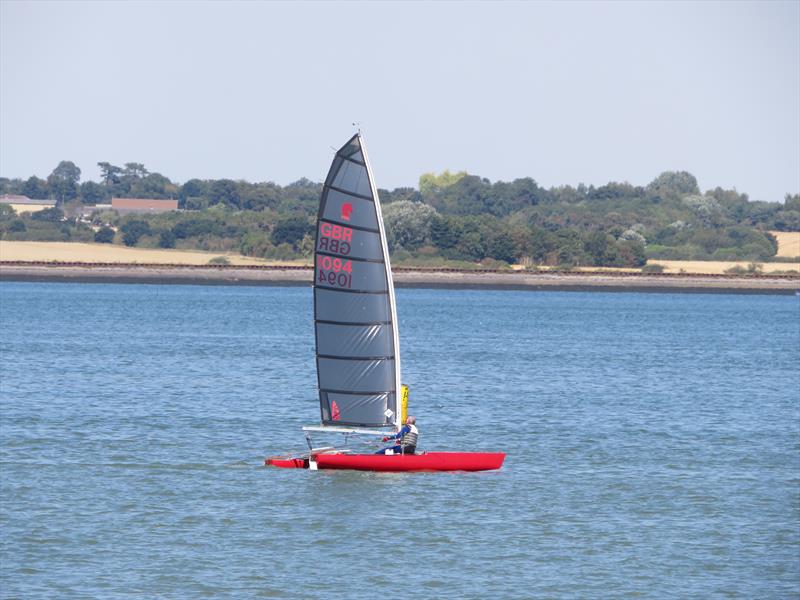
{"points": [[357, 341]]}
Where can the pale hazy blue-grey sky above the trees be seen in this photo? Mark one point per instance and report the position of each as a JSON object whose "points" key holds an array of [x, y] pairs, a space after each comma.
{"points": [[562, 92]]}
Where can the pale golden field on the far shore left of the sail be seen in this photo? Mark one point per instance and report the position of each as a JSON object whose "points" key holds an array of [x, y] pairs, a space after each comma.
{"points": [[106, 253]]}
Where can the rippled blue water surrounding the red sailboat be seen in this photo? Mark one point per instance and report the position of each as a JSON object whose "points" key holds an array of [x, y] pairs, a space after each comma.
{"points": [[653, 447]]}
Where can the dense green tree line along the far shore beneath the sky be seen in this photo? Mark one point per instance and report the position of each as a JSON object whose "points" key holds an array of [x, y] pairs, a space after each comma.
{"points": [[449, 217]]}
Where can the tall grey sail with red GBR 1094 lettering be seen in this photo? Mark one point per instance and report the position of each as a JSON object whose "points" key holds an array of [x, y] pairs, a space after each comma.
{"points": [[358, 362]]}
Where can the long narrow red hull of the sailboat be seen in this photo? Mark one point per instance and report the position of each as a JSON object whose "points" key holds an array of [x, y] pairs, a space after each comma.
{"points": [[429, 461]]}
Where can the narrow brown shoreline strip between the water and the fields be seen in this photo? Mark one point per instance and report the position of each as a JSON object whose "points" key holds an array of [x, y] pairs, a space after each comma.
{"points": [[519, 280]]}
